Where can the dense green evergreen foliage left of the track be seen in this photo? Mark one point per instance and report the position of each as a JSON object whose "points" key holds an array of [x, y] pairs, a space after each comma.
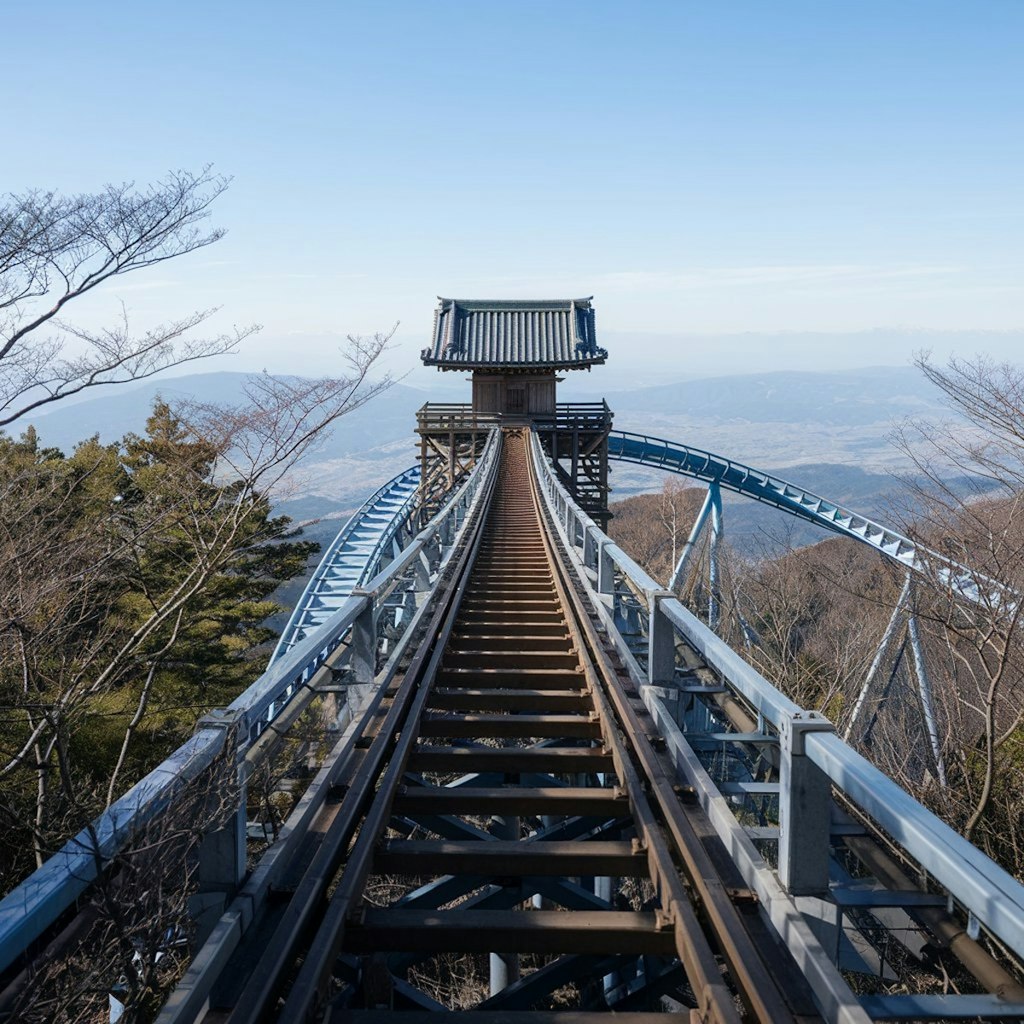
{"points": [[134, 585]]}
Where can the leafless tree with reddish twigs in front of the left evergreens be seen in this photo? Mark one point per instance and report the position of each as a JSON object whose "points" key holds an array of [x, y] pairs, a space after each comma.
{"points": [[80, 649]]}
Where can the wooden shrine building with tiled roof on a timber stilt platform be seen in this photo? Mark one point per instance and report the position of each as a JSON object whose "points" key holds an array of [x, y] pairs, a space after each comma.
{"points": [[516, 352]]}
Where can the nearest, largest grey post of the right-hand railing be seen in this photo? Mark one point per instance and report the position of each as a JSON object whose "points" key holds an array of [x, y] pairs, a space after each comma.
{"points": [[805, 808]]}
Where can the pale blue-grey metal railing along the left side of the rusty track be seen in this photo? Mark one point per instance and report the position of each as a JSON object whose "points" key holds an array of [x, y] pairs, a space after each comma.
{"points": [[28, 911]]}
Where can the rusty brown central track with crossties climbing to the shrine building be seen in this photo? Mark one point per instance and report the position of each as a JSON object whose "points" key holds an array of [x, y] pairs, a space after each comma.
{"points": [[507, 767]]}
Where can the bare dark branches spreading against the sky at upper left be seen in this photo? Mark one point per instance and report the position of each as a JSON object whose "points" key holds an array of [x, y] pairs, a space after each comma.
{"points": [[56, 250]]}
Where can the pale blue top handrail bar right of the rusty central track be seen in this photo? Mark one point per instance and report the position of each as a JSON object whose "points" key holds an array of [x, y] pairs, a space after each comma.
{"points": [[985, 889]]}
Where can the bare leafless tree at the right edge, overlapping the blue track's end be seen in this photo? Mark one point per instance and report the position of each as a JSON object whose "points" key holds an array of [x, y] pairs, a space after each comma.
{"points": [[968, 493]]}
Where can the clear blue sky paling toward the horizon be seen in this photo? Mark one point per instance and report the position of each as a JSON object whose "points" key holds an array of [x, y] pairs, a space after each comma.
{"points": [[710, 172]]}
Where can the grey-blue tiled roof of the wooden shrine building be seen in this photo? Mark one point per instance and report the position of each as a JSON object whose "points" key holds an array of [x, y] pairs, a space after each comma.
{"points": [[473, 333]]}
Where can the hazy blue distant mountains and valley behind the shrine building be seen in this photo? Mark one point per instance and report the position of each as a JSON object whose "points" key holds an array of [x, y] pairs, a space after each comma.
{"points": [[827, 432]]}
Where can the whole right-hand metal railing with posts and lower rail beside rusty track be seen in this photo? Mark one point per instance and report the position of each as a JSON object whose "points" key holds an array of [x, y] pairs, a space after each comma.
{"points": [[651, 628]]}
